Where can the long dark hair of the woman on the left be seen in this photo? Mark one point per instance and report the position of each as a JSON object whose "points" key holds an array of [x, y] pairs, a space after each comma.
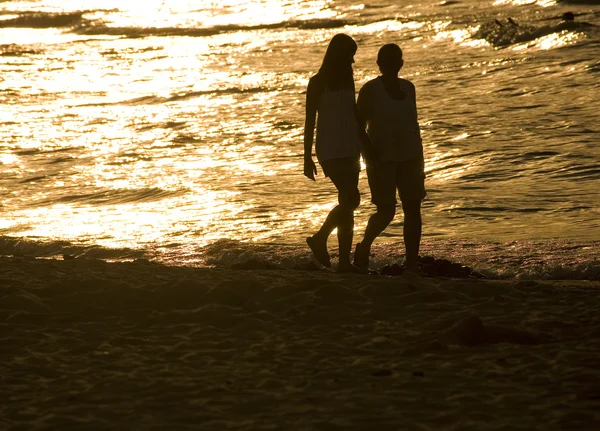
{"points": [[336, 70]]}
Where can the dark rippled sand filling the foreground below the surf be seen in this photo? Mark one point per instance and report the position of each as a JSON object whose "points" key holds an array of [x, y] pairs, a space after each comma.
{"points": [[92, 345]]}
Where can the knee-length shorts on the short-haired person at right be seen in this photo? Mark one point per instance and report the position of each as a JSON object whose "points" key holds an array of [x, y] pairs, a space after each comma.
{"points": [[387, 177]]}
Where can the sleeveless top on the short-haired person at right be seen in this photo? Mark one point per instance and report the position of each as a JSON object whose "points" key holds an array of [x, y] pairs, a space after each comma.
{"points": [[392, 124]]}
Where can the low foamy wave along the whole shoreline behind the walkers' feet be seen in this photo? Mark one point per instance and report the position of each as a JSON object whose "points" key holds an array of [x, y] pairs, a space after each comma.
{"points": [[532, 260]]}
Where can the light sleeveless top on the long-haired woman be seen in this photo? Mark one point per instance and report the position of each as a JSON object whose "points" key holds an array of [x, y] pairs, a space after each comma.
{"points": [[337, 127]]}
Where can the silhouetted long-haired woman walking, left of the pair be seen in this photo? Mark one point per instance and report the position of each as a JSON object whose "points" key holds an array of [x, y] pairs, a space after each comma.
{"points": [[330, 99]]}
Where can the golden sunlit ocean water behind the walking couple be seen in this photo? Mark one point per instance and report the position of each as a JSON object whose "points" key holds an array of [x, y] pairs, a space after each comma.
{"points": [[172, 130]]}
